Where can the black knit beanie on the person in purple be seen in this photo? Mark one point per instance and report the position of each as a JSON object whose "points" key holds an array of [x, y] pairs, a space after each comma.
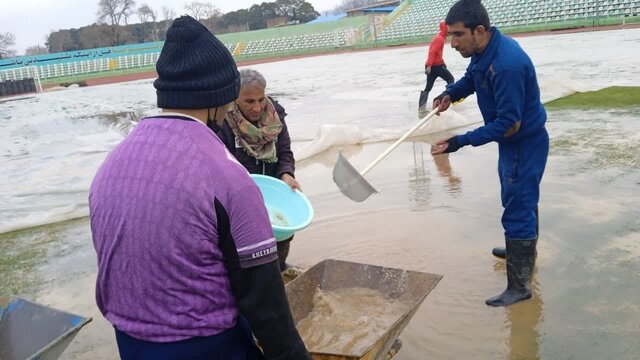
{"points": [[195, 69]]}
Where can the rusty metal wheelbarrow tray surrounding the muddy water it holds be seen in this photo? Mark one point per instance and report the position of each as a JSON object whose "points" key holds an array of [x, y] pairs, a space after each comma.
{"points": [[408, 287]]}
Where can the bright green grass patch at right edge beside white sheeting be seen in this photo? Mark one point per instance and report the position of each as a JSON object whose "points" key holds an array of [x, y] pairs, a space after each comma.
{"points": [[615, 97]]}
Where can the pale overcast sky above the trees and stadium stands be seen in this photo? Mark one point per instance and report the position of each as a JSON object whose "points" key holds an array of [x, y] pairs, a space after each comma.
{"points": [[31, 21]]}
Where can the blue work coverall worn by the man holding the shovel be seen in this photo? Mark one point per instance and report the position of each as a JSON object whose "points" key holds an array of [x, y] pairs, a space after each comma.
{"points": [[504, 81]]}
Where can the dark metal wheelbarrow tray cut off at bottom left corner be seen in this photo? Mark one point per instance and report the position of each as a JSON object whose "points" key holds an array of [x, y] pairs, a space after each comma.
{"points": [[33, 331]]}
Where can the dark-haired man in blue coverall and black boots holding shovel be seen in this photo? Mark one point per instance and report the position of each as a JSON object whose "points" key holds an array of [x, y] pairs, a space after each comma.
{"points": [[504, 80]]}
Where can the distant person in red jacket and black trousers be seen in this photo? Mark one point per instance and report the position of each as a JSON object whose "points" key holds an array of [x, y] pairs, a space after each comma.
{"points": [[435, 66]]}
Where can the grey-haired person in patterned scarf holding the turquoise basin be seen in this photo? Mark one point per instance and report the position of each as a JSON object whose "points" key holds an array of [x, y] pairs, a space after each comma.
{"points": [[255, 132]]}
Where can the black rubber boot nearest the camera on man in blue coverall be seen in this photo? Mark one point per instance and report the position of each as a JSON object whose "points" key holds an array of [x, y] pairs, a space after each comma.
{"points": [[521, 259]]}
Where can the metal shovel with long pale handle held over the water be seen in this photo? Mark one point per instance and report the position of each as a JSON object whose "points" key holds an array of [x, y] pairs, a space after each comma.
{"points": [[352, 183]]}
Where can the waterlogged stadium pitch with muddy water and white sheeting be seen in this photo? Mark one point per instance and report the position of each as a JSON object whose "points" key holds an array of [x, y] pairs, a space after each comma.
{"points": [[432, 215]]}
